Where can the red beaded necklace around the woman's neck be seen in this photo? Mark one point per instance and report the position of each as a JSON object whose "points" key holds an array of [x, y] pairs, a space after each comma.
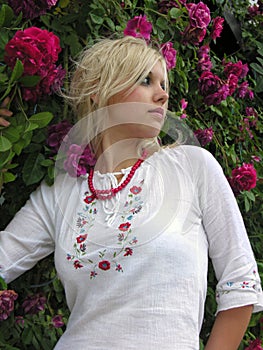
{"points": [[107, 194]]}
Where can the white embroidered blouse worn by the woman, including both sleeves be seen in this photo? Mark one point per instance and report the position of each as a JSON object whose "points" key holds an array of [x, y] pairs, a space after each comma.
{"points": [[156, 235]]}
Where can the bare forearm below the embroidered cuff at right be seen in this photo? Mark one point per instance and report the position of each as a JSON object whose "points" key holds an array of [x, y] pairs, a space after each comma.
{"points": [[229, 328]]}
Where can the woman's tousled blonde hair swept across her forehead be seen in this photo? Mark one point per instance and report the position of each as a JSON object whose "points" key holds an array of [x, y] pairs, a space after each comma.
{"points": [[107, 68]]}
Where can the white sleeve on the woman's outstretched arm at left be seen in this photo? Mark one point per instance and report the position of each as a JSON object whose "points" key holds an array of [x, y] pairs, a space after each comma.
{"points": [[29, 236]]}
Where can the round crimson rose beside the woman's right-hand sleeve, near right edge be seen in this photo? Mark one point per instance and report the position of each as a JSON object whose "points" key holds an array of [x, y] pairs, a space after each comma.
{"points": [[243, 178]]}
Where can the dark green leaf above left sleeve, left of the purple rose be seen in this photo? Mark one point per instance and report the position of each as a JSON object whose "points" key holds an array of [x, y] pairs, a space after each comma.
{"points": [[33, 171]]}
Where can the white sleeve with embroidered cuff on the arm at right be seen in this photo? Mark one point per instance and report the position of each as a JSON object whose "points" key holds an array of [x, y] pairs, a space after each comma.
{"points": [[229, 246]]}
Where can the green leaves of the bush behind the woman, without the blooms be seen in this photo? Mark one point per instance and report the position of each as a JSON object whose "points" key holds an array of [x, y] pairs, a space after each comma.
{"points": [[26, 160]]}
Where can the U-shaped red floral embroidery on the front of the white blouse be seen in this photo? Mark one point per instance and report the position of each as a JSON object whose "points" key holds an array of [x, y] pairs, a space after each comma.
{"points": [[107, 259]]}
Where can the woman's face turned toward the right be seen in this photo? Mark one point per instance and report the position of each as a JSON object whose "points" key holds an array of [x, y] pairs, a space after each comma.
{"points": [[142, 112]]}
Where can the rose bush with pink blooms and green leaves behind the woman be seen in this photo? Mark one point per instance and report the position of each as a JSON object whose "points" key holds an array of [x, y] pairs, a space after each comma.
{"points": [[216, 90]]}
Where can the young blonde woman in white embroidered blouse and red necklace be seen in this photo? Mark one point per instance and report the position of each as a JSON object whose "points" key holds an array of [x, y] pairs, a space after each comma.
{"points": [[132, 238]]}
